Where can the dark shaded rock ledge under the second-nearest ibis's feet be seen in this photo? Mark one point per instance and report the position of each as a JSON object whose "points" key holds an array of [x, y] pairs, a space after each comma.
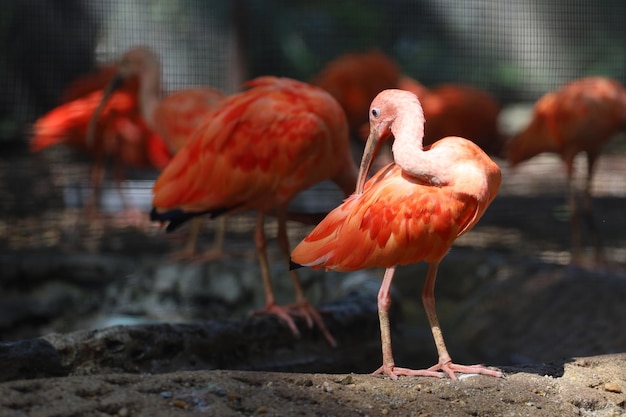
{"points": [[254, 343]]}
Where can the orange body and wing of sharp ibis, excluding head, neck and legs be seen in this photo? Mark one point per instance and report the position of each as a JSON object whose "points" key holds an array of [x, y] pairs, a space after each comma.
{"points": [[399, 219]]}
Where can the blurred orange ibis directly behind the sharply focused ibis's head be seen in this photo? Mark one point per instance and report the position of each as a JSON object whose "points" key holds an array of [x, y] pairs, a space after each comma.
{"points": [[354, 79]]}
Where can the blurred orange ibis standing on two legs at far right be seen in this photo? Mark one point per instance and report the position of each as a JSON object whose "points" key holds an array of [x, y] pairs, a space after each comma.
{"points": [[581, 116]]}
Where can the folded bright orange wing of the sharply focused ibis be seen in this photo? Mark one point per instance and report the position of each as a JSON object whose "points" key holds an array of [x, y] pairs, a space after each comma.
{"points": [[394, 222]]}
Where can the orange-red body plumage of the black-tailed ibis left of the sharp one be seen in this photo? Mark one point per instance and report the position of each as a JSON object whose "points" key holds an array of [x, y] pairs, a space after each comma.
{"points": [[254, 152]]}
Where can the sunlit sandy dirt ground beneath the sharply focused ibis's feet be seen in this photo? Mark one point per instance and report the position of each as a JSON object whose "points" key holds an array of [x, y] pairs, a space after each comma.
{"points": [[579, 387]]}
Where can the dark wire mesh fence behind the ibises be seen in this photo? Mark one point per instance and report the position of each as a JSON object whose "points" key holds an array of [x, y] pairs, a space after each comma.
{"points": [[515, 50]]}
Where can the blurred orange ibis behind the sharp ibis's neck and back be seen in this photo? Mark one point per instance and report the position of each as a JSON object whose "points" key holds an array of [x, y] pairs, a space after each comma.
{"points": [[458, 110]]}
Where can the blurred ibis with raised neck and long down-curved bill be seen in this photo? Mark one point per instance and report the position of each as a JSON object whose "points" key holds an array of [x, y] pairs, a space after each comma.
{"points": [[174, 117]]}
